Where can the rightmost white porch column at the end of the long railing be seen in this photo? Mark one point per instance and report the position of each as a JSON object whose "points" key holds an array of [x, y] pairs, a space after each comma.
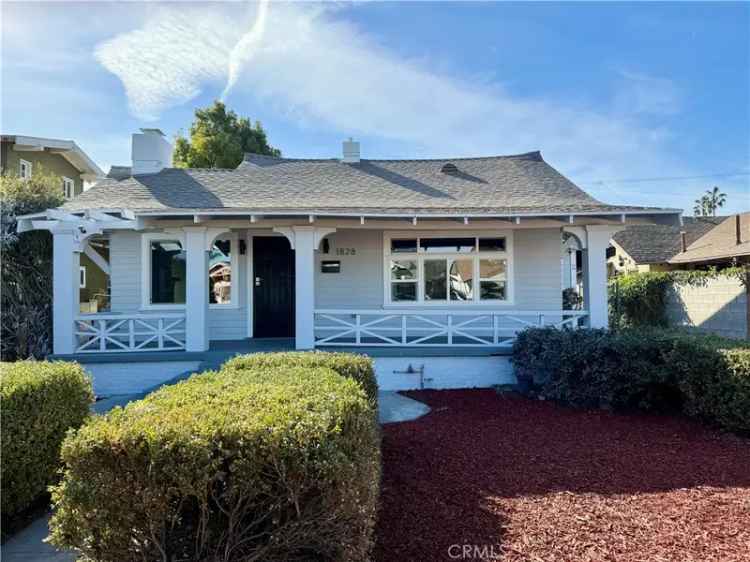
{"points": [[595, 274]]}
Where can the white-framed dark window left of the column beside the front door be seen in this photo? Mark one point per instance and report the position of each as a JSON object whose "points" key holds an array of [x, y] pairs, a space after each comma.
{"points": [[164, 270]]}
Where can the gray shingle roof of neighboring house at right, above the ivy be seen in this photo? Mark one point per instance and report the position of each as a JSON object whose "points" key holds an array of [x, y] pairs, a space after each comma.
{"points": [[655, 243]]}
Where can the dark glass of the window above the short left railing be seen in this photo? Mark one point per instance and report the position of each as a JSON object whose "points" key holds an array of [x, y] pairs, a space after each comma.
{"points": [[168, 272]]}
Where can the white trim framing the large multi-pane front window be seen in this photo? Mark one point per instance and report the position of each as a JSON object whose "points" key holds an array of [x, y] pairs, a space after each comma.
{"points": [[420, 256]]}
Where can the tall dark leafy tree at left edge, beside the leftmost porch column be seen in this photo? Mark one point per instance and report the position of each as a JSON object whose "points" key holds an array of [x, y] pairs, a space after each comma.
{"points": [[26, 280]]}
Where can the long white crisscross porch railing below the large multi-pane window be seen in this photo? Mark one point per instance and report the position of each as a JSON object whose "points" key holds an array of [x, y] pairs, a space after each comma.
{"points": [[426, 328]]}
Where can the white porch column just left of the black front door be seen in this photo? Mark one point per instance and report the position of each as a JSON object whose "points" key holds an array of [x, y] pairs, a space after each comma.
{"points": [[196, 289]]}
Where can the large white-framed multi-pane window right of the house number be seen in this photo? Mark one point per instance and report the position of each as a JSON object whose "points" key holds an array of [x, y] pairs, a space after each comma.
{"points": [[449, 269]]}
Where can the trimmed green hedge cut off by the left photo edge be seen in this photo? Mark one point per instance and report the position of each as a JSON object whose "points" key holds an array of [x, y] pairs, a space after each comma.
{"points": [[40, 402]]}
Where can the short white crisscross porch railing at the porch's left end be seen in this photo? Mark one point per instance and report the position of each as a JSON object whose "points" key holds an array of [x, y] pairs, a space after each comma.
{"points": [[102, 333]]}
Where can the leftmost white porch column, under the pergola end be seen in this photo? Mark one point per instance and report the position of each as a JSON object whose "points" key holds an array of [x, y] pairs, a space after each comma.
{"points": [[65, 290]]}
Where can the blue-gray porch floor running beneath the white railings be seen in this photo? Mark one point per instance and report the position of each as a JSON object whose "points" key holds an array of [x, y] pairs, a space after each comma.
{"points": [[220, 351]]}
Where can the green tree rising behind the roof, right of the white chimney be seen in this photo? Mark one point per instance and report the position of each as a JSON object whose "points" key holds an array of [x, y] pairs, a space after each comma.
{"points": [[219, 139]]}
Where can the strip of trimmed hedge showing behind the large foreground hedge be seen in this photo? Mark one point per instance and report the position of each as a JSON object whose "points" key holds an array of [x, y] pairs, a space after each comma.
{"points": [[348, 365]]}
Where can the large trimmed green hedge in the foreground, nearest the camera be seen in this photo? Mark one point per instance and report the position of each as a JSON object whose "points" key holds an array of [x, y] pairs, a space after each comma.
{"points": [[276, 465]]}
